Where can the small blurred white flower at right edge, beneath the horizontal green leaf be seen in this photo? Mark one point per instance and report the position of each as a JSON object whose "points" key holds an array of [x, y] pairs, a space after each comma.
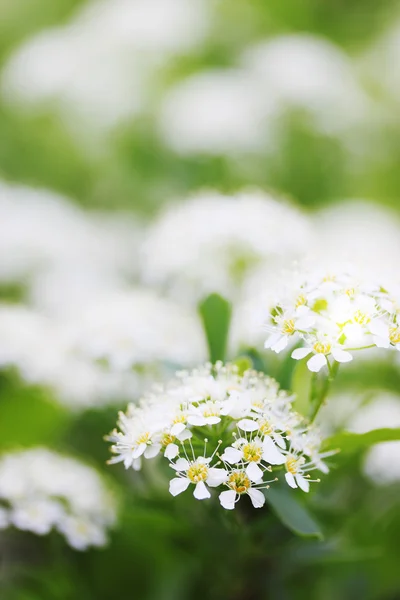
{"points": [[382, 463]]}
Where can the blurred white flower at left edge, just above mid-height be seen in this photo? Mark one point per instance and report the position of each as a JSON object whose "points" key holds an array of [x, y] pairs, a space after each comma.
{"points": [[42, 234]]}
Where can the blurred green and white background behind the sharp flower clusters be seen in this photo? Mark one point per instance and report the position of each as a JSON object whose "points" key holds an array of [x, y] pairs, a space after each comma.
{"points": [[153, 152]]}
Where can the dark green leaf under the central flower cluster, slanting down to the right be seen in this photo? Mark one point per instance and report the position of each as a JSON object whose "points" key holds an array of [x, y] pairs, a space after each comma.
{"points": [[292, 514]]}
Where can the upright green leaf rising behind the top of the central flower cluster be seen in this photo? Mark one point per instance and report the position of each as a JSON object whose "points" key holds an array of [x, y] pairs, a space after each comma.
{"points": [[215, 313]]}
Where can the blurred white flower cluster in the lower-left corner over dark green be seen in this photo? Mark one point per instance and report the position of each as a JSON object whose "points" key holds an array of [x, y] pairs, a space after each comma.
{"points": [[41, 491]]}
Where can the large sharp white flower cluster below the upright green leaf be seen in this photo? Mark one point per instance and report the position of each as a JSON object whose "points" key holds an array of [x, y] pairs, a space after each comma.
{"points": [[218, 428]]}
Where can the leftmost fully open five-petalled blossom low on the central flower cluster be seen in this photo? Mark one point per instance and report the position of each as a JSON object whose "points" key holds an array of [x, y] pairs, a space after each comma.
{"points": [[197, 472]]}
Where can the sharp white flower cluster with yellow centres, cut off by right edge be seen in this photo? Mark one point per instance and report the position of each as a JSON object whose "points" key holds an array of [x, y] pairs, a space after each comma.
{"points": [[333, 316]]}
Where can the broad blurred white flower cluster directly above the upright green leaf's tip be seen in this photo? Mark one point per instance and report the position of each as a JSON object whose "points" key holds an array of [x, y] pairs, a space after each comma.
{"points": [[212, 243]]}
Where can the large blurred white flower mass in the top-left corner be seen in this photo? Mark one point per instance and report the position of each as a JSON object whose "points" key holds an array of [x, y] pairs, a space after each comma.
{"points": [[99, 69]]}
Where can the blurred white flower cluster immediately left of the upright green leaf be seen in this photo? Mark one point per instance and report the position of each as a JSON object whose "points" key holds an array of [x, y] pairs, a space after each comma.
{"points": [[137, 328]]}
